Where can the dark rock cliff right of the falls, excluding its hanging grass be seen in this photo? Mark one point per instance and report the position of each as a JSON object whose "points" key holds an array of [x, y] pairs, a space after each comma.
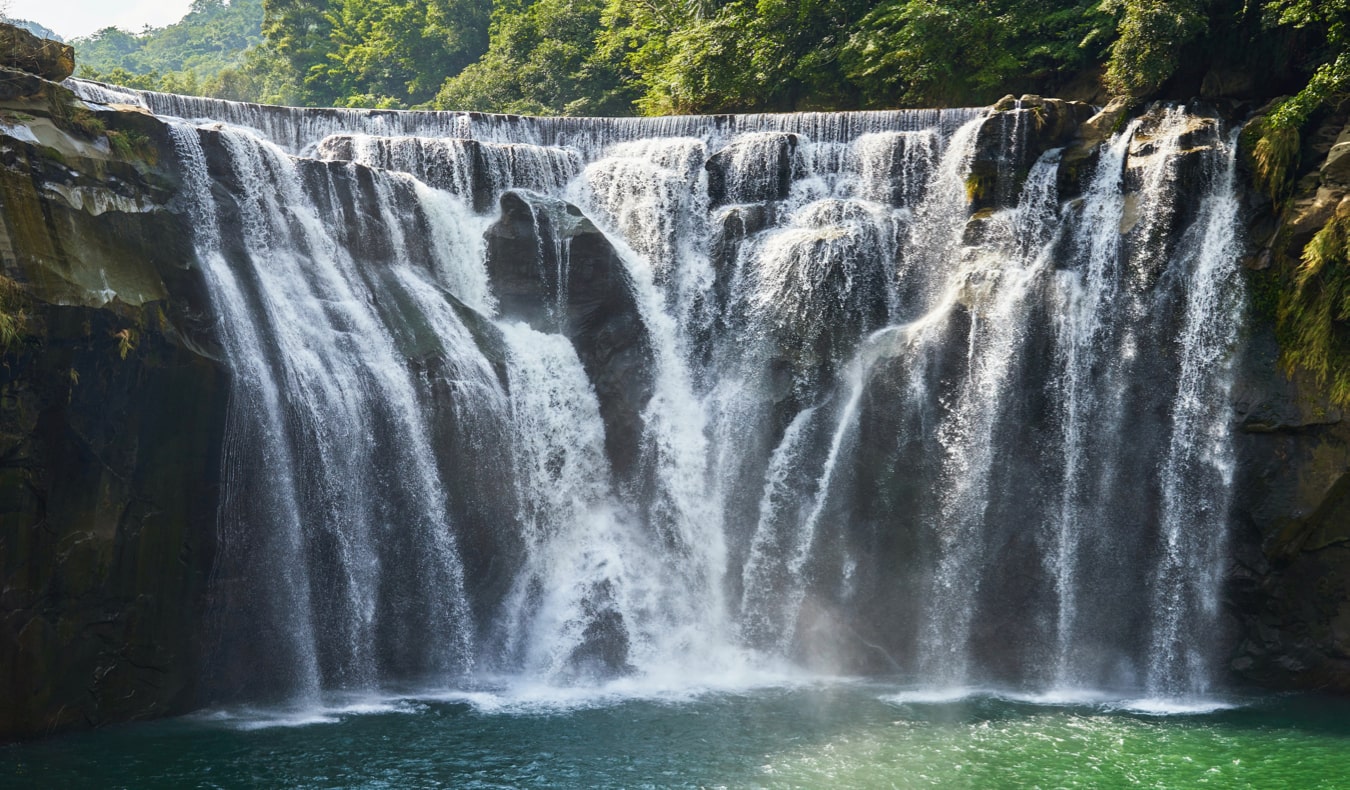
{"points": [[1290, 588]]}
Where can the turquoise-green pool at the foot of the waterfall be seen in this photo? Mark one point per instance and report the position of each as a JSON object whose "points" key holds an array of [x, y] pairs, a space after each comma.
{"points": [[821, 735]]}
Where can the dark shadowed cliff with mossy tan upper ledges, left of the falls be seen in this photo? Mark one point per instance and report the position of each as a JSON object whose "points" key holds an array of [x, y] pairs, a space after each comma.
{"points": [[111, 417]]}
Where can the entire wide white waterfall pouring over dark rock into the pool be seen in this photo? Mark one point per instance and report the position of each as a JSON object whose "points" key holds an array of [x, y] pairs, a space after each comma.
{"points": [[565, 402]]}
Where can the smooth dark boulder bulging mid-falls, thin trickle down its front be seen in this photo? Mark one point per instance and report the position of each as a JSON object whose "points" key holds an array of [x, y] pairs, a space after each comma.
{"points": [[556, 271]]}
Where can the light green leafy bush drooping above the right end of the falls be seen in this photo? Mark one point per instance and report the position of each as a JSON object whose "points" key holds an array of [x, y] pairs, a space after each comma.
{"points": [[1152, 36]]}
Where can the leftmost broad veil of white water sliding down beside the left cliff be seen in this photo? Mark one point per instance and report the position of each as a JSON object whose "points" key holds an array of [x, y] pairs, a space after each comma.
{"points": [[290, 300]]}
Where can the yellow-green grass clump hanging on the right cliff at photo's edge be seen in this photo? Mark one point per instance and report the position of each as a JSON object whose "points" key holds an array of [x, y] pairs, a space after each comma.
{"points": [[1314, 317]]}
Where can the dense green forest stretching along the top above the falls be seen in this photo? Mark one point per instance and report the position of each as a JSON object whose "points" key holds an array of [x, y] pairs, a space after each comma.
{"points": [[623, 57]]}
